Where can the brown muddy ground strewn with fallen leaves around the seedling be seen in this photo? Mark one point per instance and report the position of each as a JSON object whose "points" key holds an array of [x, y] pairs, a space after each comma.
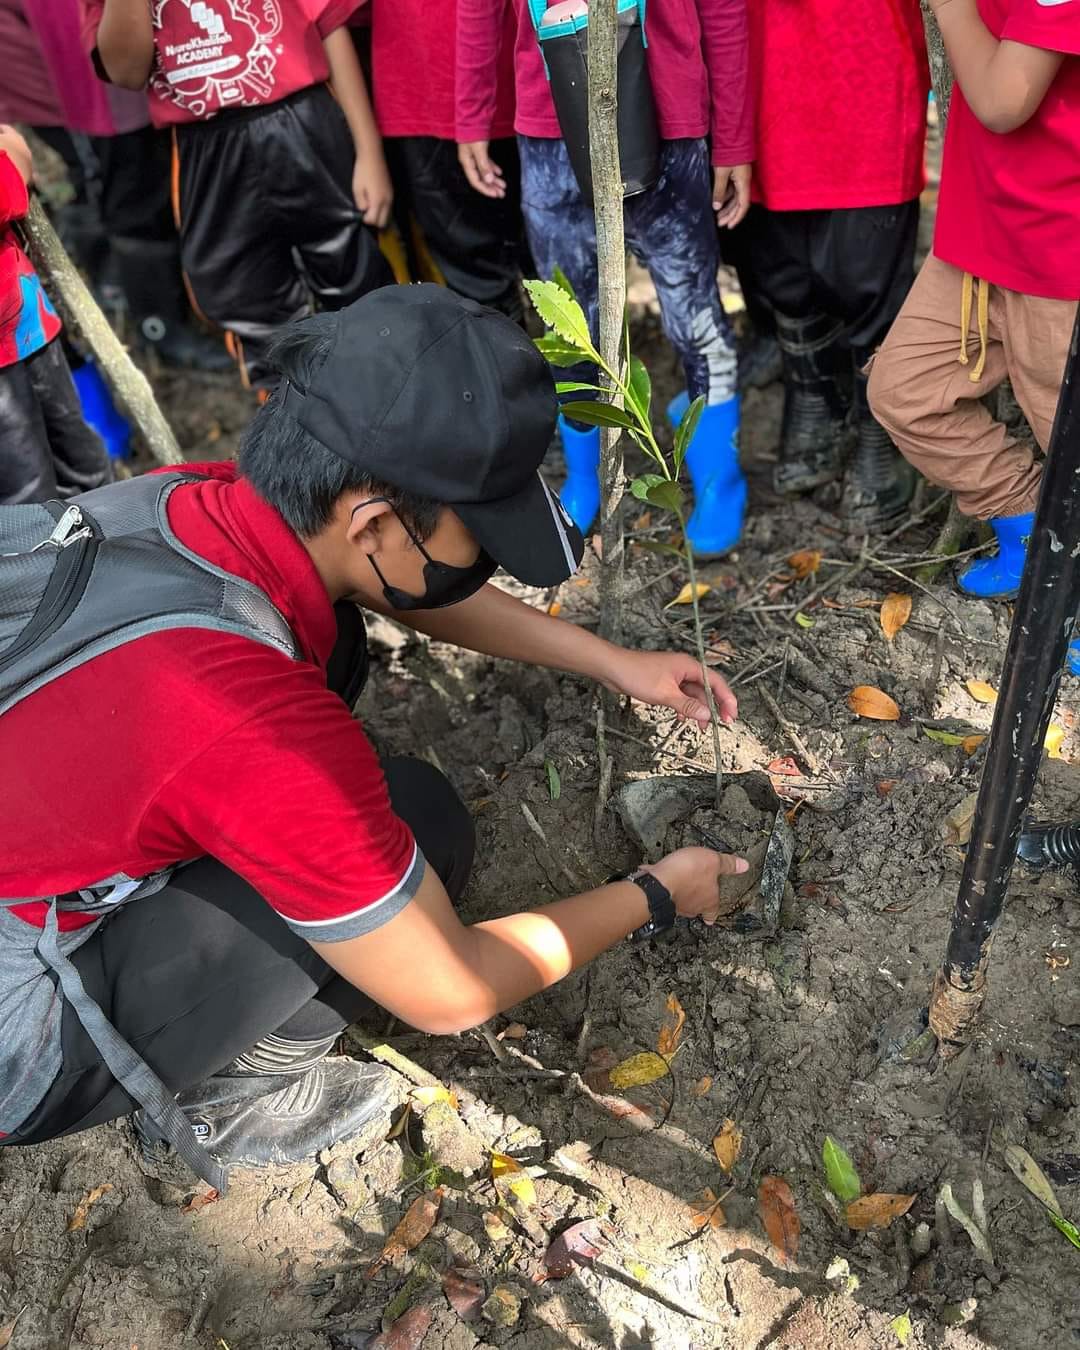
{"points": [[794, 1033]]}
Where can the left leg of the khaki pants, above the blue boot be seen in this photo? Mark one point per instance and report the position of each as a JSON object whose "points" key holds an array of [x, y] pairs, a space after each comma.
{"points": [[931, 407]]}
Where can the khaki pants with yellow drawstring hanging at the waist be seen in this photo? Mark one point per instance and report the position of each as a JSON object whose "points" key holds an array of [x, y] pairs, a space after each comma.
{"points": [[954, 342]]}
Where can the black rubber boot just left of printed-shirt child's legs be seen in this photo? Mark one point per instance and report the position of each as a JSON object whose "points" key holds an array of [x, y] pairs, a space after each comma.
{"points": [[149, 272]]}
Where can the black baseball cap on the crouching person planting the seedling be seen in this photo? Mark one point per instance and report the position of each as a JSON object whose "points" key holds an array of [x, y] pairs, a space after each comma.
{"points": [[443, 398]]}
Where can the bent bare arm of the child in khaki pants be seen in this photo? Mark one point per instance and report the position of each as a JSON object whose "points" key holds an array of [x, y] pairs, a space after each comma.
{"points": [[1002, 82]]}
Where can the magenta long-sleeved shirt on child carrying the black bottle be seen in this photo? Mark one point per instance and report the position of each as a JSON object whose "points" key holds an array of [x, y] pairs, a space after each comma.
{"points": [[699, 59]]}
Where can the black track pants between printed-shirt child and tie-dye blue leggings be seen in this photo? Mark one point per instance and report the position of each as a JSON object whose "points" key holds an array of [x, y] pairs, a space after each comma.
{"points": [[476, 242]]}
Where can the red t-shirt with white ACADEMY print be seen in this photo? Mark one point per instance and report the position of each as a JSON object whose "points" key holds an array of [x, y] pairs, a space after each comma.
{"points": [[232, 53]]}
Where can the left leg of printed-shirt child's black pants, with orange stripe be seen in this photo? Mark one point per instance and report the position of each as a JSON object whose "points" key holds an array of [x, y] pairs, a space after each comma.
{"points": [[237, 260]]}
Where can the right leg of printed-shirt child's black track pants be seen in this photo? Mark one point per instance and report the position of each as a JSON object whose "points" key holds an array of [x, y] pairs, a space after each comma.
{"points": [[307, 156]]}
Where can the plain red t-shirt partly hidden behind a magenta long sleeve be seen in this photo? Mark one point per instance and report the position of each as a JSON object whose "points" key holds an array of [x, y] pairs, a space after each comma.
{"points": [[412, 71]]}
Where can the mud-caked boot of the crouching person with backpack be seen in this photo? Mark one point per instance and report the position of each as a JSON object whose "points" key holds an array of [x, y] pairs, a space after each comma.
{"points": [[279, 1104]]}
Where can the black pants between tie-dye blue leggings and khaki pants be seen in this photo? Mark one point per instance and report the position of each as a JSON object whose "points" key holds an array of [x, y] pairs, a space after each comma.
{"points": [[854, 267]]}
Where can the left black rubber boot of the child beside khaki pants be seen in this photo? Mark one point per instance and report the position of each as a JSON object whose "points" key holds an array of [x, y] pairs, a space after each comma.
{"points": [[813, 434]]}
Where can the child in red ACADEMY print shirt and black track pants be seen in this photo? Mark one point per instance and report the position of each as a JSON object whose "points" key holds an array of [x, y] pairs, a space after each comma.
{"points": [[276, 179]]}
